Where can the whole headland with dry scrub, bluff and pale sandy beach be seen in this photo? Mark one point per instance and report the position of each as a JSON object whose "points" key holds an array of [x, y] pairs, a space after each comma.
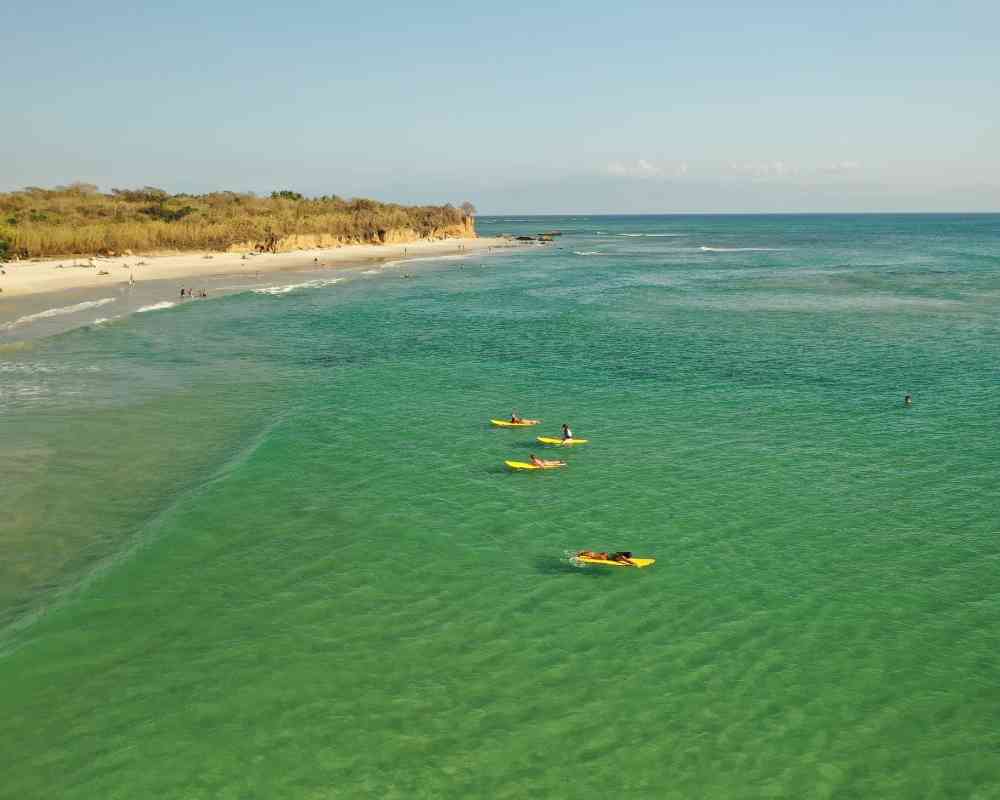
{"points": [[78, 238]]}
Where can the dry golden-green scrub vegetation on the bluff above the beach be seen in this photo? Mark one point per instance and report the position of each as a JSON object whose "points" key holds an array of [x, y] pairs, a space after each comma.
{"points": [[79, 219]]}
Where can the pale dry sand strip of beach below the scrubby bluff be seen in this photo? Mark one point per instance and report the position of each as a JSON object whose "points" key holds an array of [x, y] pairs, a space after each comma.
{"points": [[23, 278]]}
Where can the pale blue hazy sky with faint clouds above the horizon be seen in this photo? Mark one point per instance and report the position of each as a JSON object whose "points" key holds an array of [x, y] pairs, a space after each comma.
{"points": [[583, 107]]}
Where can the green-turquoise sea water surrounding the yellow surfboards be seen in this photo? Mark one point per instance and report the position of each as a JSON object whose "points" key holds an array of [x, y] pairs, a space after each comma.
{"points": [[264, 546]]}
